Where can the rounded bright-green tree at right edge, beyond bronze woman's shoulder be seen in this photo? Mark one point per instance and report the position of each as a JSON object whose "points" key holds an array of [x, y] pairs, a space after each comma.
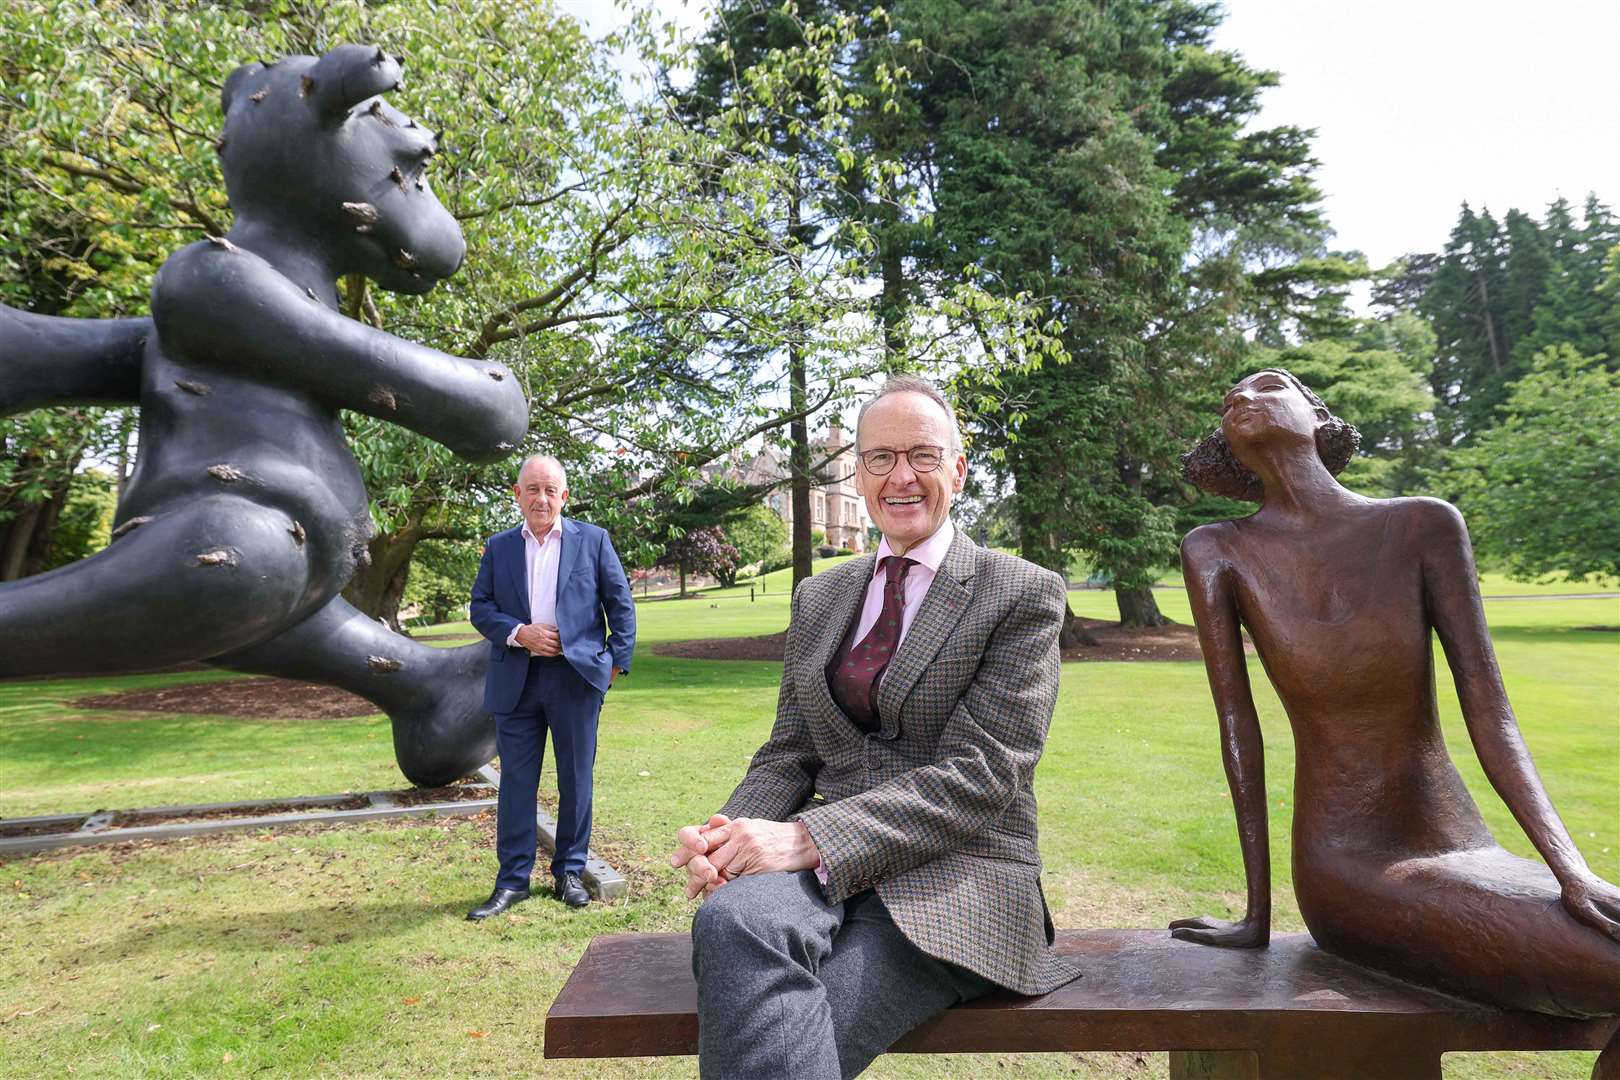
{"points": [[1538, 488]]}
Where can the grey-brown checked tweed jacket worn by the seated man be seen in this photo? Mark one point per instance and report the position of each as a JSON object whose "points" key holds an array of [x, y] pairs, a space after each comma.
{"points": [[936, 810]]}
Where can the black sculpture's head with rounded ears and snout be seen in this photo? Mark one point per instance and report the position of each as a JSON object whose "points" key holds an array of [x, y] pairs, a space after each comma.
{"points": [[313, 153]]}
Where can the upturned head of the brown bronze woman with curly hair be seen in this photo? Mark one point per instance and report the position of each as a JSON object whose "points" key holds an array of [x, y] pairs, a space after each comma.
{"points": [[1269, 410]]}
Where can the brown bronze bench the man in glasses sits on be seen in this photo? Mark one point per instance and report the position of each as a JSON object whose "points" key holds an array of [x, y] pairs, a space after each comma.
{"points": [[1287, 1011]]}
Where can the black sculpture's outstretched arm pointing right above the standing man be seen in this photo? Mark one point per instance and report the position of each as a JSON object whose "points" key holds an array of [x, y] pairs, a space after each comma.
{"points": [[231, 310]]}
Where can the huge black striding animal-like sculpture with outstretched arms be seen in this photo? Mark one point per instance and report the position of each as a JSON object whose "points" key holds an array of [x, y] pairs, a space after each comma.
{"points": [[247, 514]]}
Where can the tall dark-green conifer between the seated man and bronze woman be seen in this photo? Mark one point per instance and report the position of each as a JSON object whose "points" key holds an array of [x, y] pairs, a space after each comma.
{"points": [[1096, 156]]}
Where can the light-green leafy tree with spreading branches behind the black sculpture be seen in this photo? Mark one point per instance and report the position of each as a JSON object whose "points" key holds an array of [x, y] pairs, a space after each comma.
{"points": [[618, 253]]}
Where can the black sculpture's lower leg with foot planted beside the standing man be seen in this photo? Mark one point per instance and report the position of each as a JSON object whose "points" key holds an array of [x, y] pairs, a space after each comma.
{"points": [[433, 697]]}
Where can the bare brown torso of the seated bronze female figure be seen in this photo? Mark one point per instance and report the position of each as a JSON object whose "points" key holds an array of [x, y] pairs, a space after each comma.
{"points": [[1345, 637]]}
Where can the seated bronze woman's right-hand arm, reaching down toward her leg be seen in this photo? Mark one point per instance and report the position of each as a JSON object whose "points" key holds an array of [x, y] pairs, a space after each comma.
{"points": [[1459, 614]]}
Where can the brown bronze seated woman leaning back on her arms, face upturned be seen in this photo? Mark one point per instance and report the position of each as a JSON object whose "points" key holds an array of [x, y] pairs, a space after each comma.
{"points": [[1394, 867]]}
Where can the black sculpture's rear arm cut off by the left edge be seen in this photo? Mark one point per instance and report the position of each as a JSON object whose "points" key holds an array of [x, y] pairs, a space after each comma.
{"points": [[46, 360]]}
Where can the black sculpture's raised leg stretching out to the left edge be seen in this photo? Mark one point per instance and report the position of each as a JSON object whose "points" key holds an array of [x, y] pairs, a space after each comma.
{"points": [[210, 577]]}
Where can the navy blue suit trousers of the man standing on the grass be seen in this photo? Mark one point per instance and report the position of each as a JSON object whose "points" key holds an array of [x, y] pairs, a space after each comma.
{"points": [[555, 700]]}
